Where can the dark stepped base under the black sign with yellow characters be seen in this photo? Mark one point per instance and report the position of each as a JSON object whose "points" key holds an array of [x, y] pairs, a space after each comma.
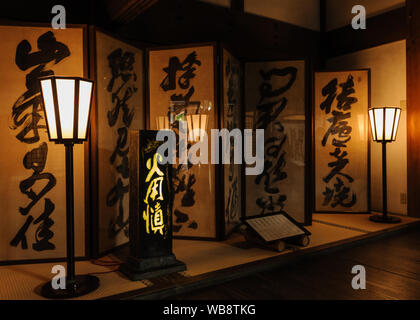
{"points": [[146, 268]]}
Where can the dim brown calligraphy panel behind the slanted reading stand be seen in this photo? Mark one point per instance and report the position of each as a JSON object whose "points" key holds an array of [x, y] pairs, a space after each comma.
{"points": [[275, 101]]}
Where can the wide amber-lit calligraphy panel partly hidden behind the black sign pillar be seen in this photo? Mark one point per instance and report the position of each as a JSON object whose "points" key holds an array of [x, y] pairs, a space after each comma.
{"points": [[187, 74]]}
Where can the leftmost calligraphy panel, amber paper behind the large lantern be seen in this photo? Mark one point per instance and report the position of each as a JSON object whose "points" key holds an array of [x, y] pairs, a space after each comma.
{"points": [[32, 173]]}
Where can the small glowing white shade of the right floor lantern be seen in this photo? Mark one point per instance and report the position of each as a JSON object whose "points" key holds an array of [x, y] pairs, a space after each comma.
{"points": [[384, 123]]}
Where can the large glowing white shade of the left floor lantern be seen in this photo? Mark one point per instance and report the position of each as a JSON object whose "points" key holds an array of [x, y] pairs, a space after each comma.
{"points": [[67, 103]]}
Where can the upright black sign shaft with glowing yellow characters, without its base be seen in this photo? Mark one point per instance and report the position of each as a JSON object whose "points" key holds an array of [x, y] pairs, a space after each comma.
{"points": [[150, 197]]}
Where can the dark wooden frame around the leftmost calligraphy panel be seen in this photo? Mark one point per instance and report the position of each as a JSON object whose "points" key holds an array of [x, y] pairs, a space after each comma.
{"points": [[86, 74]]}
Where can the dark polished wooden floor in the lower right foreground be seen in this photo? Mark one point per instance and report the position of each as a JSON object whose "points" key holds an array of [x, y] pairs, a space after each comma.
{"points": [[392, 272]]}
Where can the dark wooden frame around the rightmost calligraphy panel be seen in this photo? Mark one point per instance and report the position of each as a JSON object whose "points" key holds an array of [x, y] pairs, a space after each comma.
{"points": [[313, 144]]}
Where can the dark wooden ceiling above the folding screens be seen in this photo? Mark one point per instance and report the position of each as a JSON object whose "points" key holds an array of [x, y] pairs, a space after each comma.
{"points": [[166, 22]]}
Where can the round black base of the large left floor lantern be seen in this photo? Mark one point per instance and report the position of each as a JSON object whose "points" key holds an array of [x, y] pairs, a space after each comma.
{"points": [[83, 284]]}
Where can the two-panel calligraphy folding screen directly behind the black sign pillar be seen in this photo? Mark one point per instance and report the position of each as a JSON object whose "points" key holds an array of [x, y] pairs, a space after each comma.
{"points": [[183, 78]]}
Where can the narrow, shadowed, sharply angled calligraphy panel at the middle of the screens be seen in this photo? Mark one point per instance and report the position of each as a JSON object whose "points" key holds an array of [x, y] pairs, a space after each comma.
{"points": [[232, 118]]}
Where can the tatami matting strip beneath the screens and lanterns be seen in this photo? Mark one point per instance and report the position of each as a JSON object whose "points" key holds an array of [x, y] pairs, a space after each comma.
{"points": [[201, 257]]}
